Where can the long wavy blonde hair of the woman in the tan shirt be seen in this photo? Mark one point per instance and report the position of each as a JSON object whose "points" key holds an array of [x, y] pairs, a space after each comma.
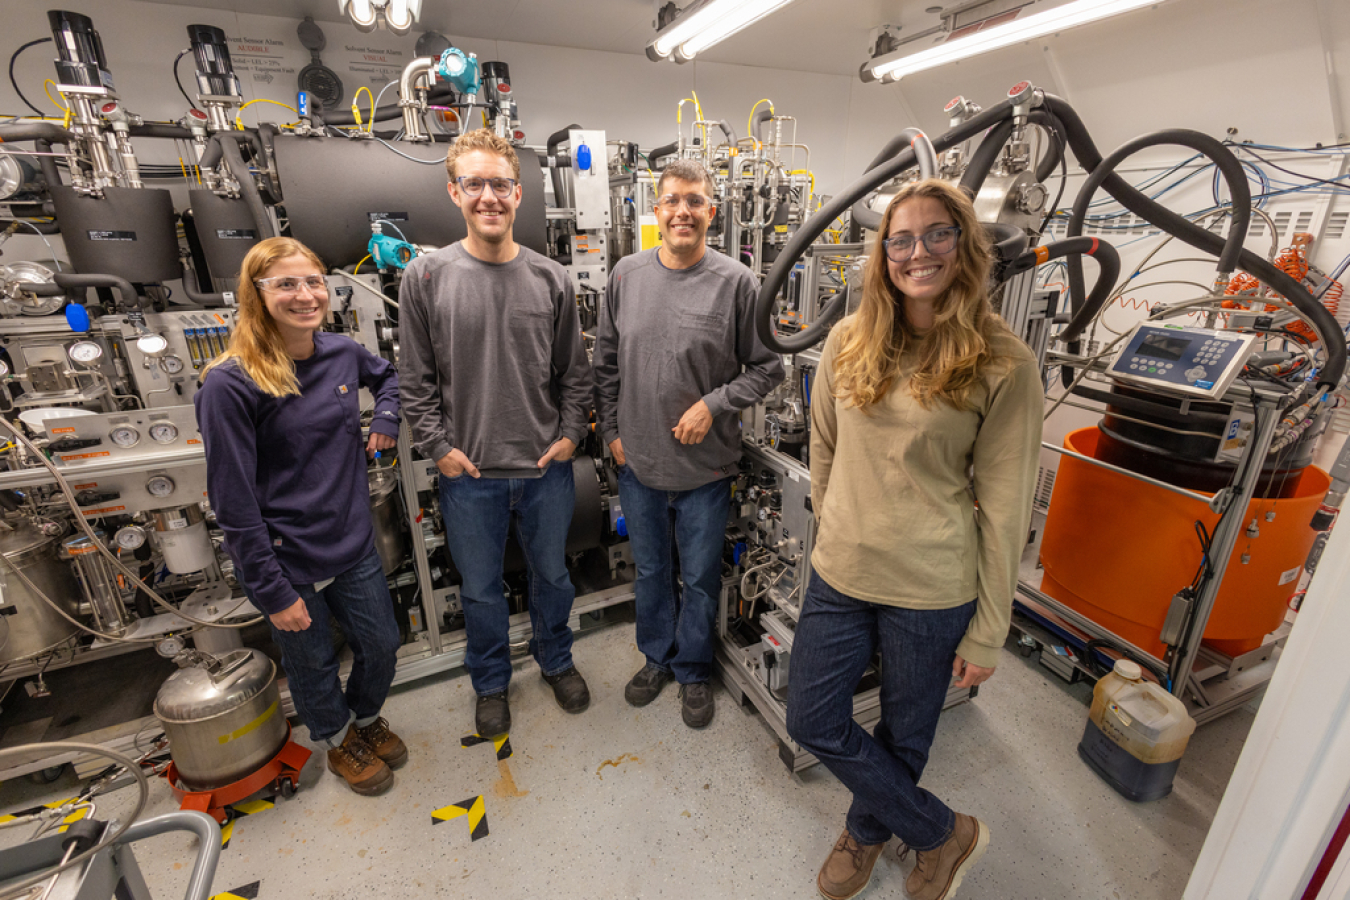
{"points": [[954, 353]]}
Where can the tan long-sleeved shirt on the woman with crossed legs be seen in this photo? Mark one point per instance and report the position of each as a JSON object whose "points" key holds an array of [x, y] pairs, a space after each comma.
{"points": [[902, 520]]}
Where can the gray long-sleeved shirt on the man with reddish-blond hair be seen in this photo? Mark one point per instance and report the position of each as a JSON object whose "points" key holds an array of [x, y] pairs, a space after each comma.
{"points": [[492, 360]]}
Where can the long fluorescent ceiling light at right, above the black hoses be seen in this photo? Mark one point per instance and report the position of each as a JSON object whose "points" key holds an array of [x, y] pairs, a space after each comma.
{"points": [[900, 64]]}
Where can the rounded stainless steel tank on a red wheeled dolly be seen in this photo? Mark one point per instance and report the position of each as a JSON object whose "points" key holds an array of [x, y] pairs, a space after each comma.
{"points": [[223, 719]]}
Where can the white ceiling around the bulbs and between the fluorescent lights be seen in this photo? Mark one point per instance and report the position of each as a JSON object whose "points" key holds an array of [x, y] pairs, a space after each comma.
{"points": [[828, 37]]}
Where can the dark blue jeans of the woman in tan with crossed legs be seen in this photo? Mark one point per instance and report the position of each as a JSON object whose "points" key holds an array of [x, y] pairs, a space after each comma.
{"points": [[836, 638]]}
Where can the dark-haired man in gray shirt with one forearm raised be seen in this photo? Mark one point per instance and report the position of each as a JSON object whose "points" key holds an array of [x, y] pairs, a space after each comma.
{"points": [[677, 360]]}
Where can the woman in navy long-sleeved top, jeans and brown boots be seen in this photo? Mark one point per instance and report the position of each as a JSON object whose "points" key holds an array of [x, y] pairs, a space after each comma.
{"points": [[280, 415]]}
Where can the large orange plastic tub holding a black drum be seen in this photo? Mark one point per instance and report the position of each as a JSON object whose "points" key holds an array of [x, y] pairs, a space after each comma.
{"points": [[1117, 551]]}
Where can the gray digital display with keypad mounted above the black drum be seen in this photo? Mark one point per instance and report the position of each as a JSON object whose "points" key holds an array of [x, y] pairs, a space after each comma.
{"points": [[1186, 361]]}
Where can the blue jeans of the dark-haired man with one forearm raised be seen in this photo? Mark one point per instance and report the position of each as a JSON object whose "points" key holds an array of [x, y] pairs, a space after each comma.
{"points": [[674, 627]]}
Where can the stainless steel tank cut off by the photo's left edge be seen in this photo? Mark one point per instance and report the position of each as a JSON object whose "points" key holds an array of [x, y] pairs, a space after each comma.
{"points": [[29, 625]]}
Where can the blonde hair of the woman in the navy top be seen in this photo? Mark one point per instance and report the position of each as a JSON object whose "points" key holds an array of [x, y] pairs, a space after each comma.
{"points": [[257, 345]]}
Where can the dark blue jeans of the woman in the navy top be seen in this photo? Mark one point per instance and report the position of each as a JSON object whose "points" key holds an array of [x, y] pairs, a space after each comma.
{"points": [[360, 601]]}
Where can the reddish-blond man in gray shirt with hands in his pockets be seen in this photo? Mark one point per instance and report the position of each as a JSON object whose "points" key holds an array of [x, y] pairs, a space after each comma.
{"points": [[496, 389]]}
